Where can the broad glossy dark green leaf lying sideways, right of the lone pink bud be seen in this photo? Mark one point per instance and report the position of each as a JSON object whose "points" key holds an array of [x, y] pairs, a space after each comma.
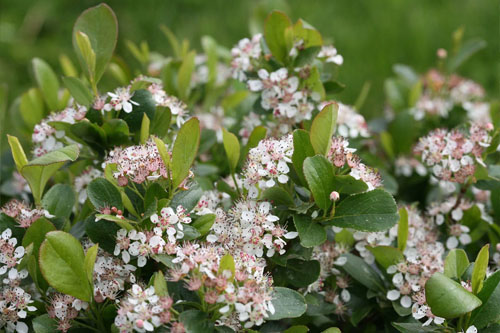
{"points": [[370, 211]]}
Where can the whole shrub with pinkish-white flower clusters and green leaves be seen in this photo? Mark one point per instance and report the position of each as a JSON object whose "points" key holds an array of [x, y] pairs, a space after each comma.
{"points": [[233, 192]]}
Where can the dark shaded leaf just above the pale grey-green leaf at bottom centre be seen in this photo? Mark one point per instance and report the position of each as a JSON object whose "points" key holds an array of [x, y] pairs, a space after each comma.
{"points": [[301, 273]]}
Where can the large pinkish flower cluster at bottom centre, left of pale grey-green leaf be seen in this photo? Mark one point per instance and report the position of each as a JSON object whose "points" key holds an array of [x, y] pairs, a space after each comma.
{"points": [[245, 292]]}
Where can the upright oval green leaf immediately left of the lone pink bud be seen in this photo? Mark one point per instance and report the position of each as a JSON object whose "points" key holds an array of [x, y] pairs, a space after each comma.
{"points": [[318, 172]]}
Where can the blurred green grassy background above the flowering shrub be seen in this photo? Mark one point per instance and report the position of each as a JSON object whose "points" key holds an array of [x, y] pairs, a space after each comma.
{"points": [[371, 35]]}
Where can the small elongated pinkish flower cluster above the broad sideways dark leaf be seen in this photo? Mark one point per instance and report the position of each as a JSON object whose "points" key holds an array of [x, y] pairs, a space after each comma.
{"points": [[340, 155]]}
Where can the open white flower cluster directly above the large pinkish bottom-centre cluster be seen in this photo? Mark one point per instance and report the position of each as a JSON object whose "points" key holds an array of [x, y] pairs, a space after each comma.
{"points": [[250, 227]]}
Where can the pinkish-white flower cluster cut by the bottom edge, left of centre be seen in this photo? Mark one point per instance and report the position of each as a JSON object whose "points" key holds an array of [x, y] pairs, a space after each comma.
{"points": [[142, 310]]}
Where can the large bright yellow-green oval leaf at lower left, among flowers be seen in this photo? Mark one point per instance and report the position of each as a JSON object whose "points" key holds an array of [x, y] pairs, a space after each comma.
{"points": [[62, 263]]}
